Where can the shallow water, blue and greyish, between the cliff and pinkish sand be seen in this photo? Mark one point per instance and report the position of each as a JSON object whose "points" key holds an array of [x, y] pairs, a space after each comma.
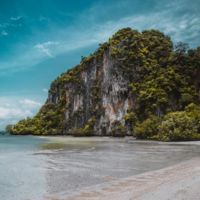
{"points": [[37, 168]]}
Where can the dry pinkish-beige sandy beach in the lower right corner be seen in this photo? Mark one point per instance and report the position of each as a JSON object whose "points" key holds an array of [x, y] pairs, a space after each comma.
{"points": [[180, 182]]}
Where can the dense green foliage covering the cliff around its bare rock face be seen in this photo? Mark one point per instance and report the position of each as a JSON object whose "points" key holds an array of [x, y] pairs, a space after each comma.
{"points": [[164, 81]]}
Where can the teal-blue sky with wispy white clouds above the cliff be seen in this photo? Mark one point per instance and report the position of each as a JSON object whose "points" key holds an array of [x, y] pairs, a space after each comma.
{"points": [[39, 39]]}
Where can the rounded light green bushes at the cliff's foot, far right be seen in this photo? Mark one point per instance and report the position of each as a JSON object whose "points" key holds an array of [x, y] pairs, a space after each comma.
{"points": [[174, 126]]}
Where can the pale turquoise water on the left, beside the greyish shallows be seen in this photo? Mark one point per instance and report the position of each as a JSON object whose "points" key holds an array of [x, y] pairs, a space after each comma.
{"points": [[21, 173]]}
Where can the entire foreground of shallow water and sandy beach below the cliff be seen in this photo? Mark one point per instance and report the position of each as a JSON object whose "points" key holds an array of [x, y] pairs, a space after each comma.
{"points": [[67, 168]]}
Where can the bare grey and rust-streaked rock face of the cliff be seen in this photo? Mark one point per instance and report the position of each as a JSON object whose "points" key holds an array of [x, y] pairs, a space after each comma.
{"points": [[100, 92]]}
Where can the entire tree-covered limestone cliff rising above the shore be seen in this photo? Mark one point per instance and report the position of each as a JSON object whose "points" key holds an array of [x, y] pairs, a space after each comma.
{"points": [[137, 83]]}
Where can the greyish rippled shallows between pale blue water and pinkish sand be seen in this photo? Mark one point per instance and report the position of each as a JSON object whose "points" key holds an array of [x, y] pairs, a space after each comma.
{"points": [[84, 162]]}
